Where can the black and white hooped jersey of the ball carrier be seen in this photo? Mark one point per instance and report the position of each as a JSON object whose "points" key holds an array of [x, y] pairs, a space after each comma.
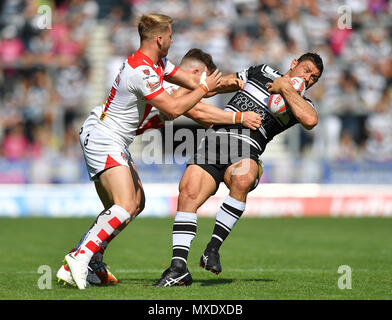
{"points": [[255, 97]]}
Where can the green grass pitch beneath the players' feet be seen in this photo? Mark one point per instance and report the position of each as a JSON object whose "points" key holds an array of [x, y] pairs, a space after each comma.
{"points": [[279, 258]]}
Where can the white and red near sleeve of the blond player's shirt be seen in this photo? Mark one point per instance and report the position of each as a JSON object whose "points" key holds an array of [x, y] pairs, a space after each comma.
{"points": [[146, 82]]}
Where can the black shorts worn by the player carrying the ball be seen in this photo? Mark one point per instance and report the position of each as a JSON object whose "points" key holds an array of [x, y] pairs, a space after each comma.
{"points": [[220, 149]]}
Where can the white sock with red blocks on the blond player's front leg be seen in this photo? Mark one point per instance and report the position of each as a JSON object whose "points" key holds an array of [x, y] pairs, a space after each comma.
{"points": [[105, 225]]}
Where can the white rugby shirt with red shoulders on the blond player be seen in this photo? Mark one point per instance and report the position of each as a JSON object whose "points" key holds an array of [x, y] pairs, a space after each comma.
{"points": [[127, 111]]}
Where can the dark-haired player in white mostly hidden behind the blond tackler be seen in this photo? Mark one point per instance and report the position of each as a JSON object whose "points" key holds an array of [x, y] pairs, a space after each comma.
{"points": [[194, 62]]}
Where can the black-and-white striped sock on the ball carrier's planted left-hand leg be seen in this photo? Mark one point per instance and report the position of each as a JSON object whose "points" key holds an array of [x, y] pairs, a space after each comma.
{"points": [[184, 230]]}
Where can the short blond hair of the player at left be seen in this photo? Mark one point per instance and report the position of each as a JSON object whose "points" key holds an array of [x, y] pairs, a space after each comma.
{"points": [[153, 24]]}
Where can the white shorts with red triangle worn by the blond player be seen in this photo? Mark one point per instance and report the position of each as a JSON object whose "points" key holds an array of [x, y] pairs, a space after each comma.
{"points": [[101, 151]]}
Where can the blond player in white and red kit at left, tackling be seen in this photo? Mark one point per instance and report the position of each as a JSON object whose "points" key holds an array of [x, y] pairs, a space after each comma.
{"points": [[105, 142]]}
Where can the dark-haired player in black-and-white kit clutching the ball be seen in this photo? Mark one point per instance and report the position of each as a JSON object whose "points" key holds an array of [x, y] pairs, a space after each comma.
{"points": [[240, 171]]}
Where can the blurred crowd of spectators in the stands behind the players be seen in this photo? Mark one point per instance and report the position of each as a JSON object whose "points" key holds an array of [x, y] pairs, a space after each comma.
{"points": [[45, 68]]}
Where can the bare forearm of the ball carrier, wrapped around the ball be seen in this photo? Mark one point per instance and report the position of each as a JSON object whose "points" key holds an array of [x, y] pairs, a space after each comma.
{"points": [[301, 109]]}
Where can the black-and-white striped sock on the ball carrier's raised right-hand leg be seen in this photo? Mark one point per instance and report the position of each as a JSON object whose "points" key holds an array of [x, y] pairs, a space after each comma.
{"points": [[226, 217]]}
